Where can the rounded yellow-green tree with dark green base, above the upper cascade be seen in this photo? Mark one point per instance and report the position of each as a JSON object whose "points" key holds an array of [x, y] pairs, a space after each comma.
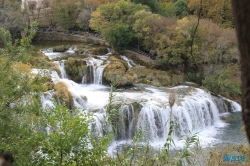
{"points": [[114, 21]]}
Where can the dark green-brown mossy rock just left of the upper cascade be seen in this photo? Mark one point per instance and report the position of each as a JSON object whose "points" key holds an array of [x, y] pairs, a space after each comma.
{"points": [[75, 69]]}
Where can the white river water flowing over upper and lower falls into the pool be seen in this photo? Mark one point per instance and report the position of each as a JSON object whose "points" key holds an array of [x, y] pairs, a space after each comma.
{"points": [[146, 108]]}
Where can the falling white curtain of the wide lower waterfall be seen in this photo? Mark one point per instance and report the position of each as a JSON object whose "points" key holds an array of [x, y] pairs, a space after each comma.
{"points": [[154, 120]]}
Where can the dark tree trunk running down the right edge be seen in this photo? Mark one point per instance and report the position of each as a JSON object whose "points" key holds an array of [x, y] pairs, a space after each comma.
{"points": [[242, 24]]}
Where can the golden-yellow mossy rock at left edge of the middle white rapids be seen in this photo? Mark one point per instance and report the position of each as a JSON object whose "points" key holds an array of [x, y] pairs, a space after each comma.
{"points": [[63, 96]]}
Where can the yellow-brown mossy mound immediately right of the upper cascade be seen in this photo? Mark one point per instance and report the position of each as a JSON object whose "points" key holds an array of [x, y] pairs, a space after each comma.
{"points": [[115, 73]]}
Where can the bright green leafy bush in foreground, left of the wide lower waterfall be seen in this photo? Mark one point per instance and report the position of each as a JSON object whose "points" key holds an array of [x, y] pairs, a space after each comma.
{"points": [[67, 141]]}
